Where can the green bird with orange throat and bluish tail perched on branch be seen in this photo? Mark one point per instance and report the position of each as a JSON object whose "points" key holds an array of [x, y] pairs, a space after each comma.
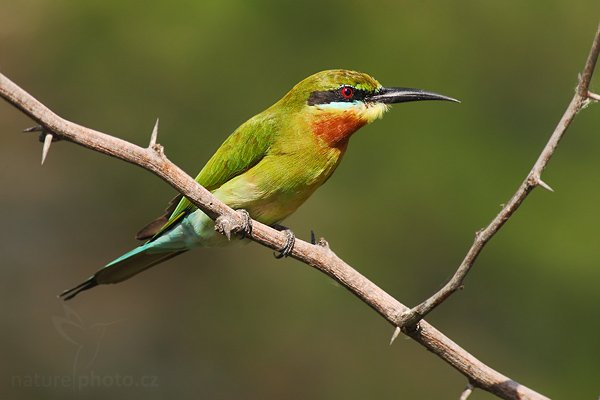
{"points": [[267, 167]]}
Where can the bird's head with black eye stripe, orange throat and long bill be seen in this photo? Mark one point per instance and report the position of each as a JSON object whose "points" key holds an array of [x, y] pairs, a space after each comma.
{"points": [[338, 102]]}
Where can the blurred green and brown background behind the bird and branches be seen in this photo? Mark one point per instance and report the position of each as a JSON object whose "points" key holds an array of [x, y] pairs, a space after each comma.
{"points": [[402, 208]]}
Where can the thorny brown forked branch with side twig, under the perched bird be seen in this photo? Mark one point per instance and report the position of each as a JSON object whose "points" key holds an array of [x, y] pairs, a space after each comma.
{"points": [[318, 255]]}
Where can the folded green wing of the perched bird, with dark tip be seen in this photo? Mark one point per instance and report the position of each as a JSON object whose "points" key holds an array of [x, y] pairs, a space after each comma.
{"points": [[240, 152]]}
